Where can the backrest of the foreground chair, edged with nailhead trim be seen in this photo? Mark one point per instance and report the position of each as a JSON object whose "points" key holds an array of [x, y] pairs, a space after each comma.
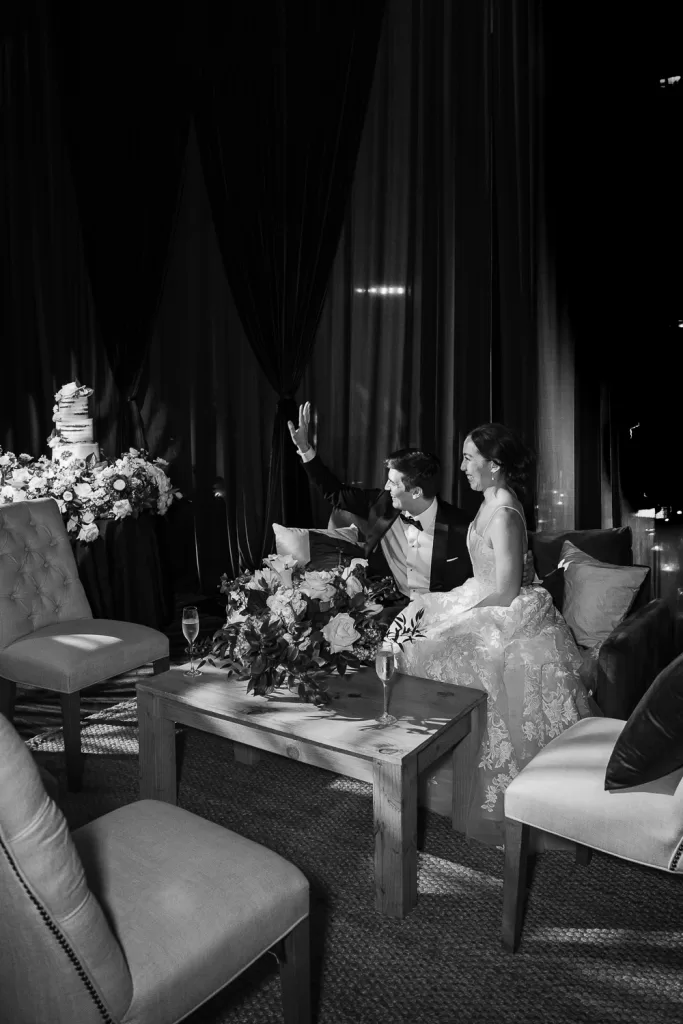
{"points": [[40, 871]]}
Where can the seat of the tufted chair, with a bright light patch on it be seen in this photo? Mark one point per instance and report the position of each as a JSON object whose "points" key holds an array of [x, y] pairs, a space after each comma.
{"points": [[68, 657]]}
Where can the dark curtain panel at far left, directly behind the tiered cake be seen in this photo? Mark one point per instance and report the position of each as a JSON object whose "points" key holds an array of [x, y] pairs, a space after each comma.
{"points": [[50, 332]]}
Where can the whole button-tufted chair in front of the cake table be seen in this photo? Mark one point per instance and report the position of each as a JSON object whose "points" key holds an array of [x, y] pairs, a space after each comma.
{"points": [[49, 637]]}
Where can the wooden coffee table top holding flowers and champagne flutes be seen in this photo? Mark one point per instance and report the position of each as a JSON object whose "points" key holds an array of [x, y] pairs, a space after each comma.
{"points": [[424, 709]]}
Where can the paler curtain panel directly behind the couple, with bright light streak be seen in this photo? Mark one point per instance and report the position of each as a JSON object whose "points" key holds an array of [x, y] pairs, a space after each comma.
{"points": [[448, 218]]}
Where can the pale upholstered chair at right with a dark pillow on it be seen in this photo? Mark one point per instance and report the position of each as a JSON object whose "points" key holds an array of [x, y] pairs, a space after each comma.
{"points": [[563, 791]]}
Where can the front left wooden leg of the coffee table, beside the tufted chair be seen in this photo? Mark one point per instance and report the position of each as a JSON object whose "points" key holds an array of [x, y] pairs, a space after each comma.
{"points": [[157, 744]]}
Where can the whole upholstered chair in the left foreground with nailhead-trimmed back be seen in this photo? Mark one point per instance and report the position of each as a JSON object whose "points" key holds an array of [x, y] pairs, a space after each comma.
{"points": [[140, 917]]}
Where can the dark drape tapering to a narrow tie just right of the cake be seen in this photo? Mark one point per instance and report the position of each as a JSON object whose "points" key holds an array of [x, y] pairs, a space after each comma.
{"points": [[126, 115]]}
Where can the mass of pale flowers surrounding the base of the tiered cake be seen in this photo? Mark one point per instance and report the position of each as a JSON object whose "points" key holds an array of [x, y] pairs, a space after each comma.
{"points": [[89, 491]]}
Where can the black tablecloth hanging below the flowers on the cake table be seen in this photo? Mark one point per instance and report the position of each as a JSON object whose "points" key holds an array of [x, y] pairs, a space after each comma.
{"points": [[126, 572]]}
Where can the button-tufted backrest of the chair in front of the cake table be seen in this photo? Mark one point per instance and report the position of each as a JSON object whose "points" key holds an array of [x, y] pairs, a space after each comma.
{"points": [[39, 583]]}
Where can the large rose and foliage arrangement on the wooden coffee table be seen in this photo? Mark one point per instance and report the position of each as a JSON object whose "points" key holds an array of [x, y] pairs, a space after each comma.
{"points": [[290, 627]]}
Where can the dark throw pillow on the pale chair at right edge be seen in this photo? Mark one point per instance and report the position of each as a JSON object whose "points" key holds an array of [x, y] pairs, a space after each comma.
{"points": [[651, 745]]}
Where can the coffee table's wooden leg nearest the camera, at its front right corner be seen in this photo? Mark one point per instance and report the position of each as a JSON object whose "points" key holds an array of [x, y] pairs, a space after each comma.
{"points": [[396, 808]]}
